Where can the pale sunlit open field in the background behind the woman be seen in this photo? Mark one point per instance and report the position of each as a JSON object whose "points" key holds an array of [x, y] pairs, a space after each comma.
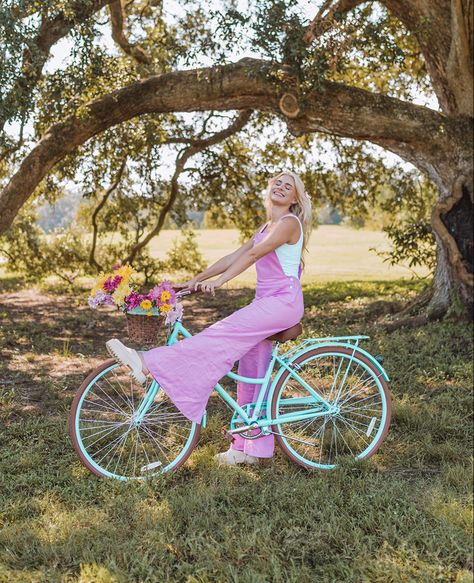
{"points": [[335, 253]]}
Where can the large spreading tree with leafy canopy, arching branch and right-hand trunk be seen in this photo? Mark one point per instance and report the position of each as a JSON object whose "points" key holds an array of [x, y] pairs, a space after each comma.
{"points": [[347, 73]]}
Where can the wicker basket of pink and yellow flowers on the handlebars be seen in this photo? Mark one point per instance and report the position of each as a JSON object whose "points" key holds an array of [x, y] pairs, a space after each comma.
{"points": [[117, 289]]}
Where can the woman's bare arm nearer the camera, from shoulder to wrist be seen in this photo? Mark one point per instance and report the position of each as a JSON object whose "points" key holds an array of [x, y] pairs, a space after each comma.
{"points": [[283, 232]]}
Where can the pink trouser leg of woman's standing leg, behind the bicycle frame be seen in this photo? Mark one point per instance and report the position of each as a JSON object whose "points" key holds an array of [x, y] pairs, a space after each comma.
{"points": [[254, 364]]}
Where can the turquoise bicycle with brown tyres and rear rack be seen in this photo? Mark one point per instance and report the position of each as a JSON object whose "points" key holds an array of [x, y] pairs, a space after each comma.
{"points": [[328, 400]]}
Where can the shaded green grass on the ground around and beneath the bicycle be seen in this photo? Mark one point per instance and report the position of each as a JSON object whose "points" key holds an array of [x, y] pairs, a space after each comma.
{"points": [[404, 515]]}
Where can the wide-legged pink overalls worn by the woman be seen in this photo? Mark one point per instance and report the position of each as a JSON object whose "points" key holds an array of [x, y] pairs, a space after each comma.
{"points": [[189, 369]]}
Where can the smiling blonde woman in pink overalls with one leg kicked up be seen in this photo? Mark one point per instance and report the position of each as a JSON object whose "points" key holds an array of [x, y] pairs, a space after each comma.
{"points": [[189, 369]]}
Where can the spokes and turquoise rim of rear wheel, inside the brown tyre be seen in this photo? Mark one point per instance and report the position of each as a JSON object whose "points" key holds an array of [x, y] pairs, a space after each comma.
{"points": [[345, 382]]}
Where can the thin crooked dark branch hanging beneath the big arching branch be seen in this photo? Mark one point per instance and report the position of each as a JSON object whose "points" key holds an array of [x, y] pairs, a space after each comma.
{"points": [[198, 145]]}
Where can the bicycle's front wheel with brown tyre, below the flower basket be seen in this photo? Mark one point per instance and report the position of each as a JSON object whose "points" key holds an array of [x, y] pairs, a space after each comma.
{"points": [[107, 437]]}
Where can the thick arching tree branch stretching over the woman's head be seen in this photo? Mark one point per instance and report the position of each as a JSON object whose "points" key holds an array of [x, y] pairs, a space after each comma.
{"points": [[414, 132]]}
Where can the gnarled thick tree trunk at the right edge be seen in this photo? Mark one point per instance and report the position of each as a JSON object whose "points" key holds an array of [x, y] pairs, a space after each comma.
{"points": [[444, 32]]}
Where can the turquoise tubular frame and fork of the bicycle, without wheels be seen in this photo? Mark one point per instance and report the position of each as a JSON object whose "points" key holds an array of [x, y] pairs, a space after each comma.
{"points": [[323, 407]]}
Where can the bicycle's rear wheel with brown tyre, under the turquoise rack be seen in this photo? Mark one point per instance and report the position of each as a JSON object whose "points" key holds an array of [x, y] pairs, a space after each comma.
{"points": [[346, 380]]}
